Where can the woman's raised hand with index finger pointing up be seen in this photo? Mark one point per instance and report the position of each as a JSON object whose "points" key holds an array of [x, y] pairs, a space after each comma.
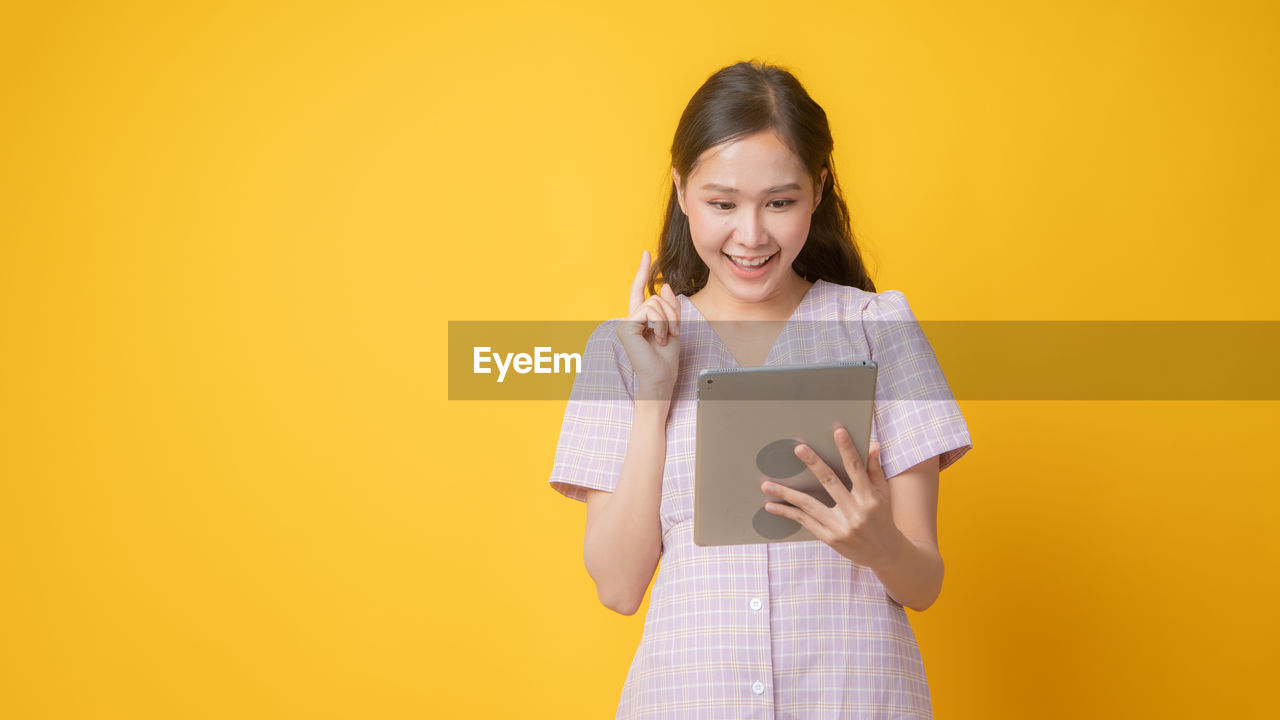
{"points": [[655, 352]]}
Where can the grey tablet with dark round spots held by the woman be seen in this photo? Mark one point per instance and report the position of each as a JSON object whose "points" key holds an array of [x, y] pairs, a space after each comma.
{"points": [[749, 422]]}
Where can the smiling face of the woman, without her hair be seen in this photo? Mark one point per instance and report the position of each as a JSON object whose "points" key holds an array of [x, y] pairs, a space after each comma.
{"points": [[749, 202]]}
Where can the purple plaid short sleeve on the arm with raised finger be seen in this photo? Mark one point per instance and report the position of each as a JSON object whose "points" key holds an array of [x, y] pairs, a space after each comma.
{"points": [[597, 429]]}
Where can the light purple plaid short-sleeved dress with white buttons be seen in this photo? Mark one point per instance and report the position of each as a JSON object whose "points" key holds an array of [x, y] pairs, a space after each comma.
{"points": [[774, 630]]}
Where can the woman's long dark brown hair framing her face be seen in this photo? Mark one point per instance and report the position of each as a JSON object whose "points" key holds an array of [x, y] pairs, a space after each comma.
{"points": [[738, 102]]}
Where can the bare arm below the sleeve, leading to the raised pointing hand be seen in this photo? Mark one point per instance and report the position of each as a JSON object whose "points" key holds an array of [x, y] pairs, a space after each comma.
{"points": [[624, 532]]}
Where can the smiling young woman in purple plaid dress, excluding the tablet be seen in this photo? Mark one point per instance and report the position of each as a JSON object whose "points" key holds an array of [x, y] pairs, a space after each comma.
{"points": [[757, 247]]}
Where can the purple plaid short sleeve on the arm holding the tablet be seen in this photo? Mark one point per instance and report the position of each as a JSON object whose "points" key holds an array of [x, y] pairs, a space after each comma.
{"points": [[916, 414]]}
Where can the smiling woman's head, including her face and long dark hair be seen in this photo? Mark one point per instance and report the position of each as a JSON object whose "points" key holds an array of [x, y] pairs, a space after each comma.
{"points": [[753, 177]]}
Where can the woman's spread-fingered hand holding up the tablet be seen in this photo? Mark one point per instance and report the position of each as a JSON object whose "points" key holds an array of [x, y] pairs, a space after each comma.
{"points": [[861, 526]]}
